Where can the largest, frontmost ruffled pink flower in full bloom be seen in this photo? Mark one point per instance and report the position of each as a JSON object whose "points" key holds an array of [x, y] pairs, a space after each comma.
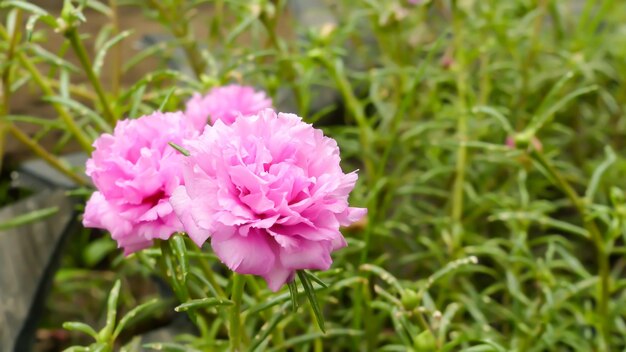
{"points": [[270, 193]]}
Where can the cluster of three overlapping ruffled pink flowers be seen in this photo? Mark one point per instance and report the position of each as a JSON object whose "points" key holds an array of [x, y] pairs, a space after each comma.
{"points": [[267, 189]]}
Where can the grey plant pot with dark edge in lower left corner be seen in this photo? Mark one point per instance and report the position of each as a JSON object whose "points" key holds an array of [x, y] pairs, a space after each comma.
{"points": [[29, 256]]}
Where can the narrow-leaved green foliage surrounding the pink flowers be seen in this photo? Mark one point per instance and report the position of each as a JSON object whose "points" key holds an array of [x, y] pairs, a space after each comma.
{"points": [[488, 135]]}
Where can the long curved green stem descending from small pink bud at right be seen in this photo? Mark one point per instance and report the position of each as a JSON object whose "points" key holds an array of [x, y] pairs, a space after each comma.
{"points": [[604, 321]]}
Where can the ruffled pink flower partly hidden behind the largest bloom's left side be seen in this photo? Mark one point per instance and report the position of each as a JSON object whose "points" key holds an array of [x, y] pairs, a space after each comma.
{"points": [[135, 172]]}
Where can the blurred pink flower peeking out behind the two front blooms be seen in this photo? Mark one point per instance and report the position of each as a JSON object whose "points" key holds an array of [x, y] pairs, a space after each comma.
{"points": [[225, 104]]}
